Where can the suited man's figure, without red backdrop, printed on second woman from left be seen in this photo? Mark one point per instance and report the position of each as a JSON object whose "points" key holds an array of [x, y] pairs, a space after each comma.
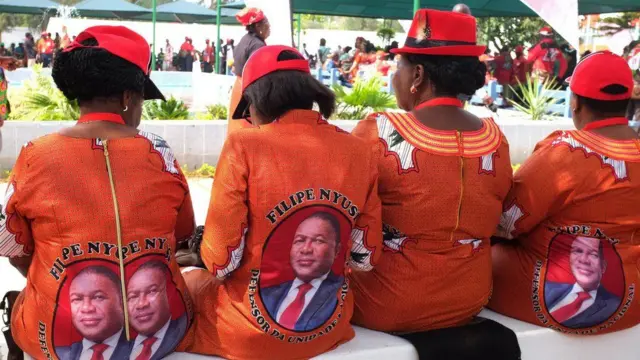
{"points": [[309, 300]]}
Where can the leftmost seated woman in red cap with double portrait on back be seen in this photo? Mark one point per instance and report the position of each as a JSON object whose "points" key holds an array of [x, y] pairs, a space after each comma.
{"points": [[93, 214]]}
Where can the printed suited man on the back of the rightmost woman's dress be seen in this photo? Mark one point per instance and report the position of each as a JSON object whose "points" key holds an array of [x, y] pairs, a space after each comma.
{"points": [[586, 302]]}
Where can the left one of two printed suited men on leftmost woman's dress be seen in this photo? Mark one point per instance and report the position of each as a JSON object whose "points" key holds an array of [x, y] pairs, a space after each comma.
{"points": [[95, 299]]}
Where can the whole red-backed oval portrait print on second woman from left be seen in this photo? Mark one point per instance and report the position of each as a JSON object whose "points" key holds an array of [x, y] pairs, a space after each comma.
{"points": [[303, 268]]}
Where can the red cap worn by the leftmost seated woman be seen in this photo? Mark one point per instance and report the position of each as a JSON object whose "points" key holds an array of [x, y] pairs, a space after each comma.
{"points": [[123, 43]]}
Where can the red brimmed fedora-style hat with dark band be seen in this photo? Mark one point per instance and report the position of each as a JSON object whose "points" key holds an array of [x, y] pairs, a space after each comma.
{"points": [[435, 32]]}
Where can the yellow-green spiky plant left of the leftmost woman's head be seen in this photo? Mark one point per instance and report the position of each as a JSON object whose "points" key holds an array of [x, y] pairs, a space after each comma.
{"points": [[39, 99]]}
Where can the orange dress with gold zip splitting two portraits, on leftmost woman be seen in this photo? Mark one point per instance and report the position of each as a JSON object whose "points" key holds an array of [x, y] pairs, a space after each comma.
{"points": [[59, 208]]}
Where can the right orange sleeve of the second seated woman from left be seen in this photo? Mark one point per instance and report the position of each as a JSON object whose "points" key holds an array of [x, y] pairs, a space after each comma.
{"points": [[366, 235]]}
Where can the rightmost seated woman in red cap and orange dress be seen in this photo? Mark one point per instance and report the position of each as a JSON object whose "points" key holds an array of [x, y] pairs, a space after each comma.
{"points": [[573, 215]]}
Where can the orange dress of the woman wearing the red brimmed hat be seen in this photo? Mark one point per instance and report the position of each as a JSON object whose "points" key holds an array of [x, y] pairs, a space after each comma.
{"points": [[442, 194]]}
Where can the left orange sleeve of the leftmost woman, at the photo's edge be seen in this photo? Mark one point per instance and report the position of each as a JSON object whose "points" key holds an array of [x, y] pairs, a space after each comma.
{"points": [[15, 231]]}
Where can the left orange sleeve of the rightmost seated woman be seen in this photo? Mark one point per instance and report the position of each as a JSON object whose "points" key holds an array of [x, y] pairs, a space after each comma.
{"points": [[543, 185]]}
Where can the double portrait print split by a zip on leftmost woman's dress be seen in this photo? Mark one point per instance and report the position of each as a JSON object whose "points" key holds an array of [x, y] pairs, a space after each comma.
{"points": [[89, 321]]}
